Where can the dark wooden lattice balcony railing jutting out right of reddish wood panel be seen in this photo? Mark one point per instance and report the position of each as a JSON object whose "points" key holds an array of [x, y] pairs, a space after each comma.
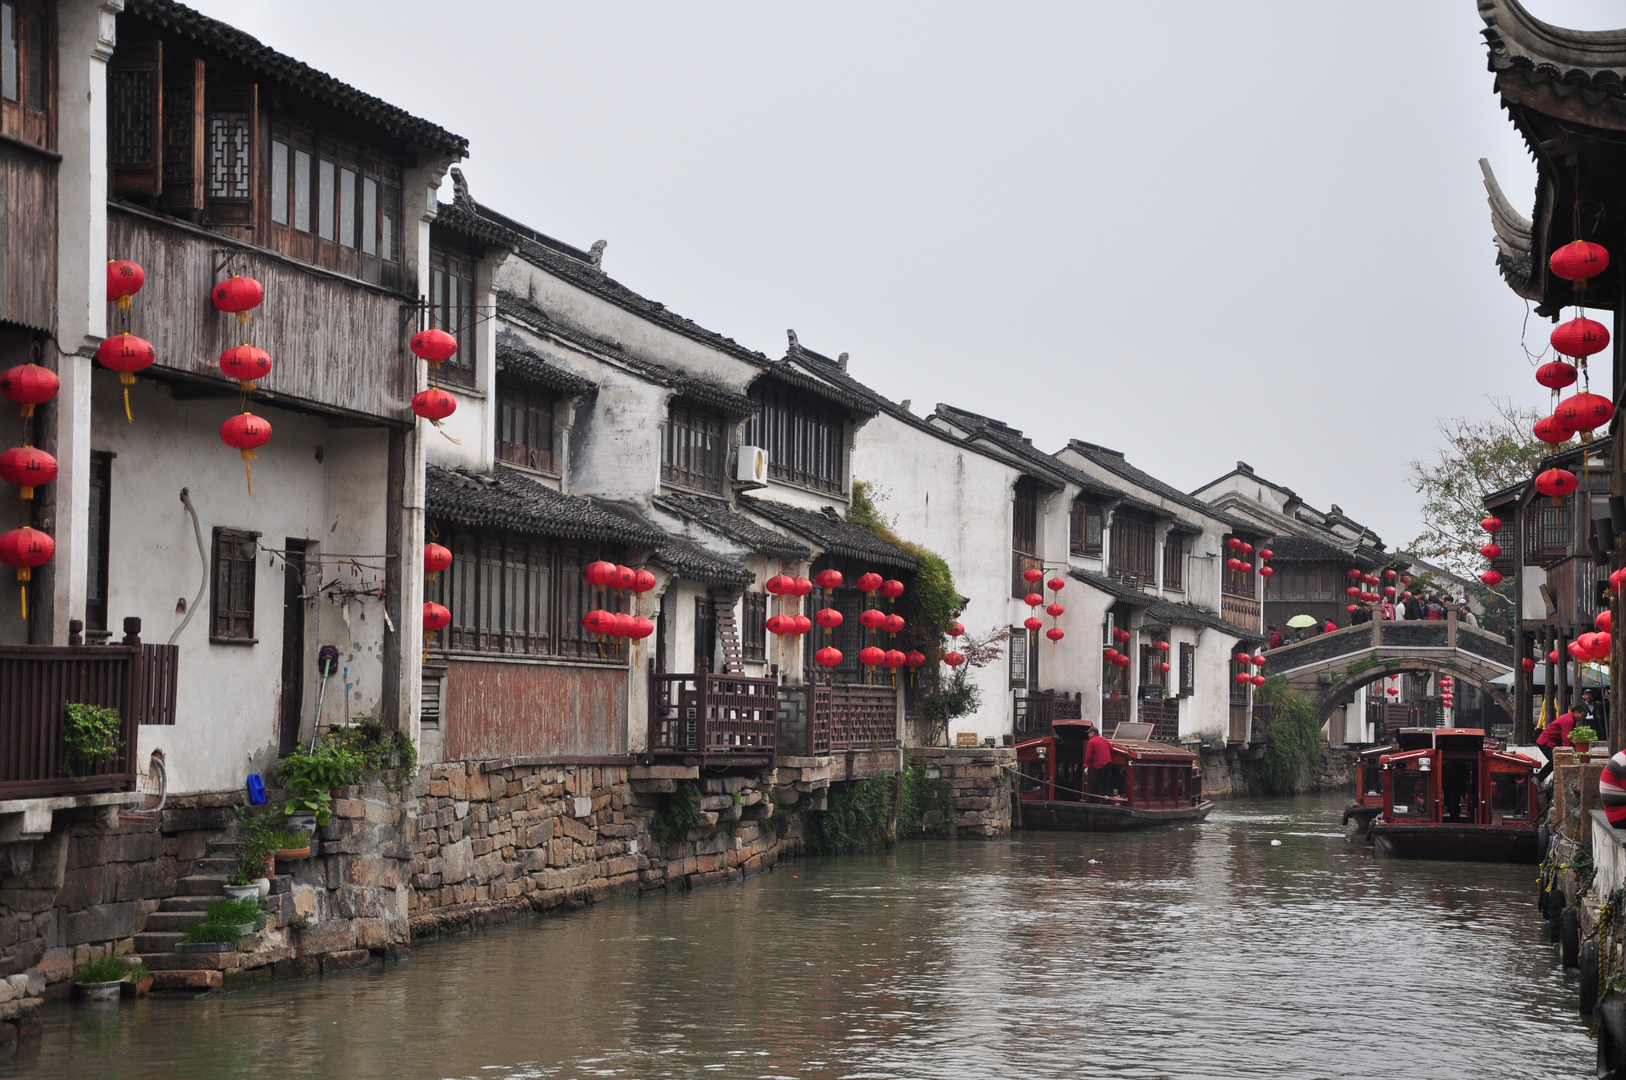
{"points": [[713, 715]]}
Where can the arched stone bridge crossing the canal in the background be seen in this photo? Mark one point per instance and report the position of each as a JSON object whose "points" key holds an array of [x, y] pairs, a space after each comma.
{"points": [[1329, 669]]}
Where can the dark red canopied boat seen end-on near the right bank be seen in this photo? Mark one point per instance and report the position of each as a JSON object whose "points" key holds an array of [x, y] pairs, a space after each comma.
{"points": [[1458, 799]]}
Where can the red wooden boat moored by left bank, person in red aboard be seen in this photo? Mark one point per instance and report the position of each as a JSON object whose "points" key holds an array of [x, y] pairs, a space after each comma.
{"points": [[1154, 783]]}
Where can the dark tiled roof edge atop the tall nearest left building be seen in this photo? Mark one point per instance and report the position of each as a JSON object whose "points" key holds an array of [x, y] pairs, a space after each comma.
{"points": [[289, 76]]}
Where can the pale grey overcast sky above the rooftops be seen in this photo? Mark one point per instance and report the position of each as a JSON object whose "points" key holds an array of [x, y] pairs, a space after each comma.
{"points": [[1191, 232]]}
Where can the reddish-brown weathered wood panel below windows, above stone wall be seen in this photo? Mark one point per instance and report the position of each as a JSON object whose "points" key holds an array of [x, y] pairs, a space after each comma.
{"points": [[497, 710]]}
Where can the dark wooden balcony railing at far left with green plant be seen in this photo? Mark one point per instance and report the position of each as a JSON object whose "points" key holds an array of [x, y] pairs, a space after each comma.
{"points": [[40, 682]]}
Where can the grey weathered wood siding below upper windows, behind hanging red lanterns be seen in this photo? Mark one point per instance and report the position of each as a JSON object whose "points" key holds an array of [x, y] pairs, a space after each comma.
{"points": [[334, 344]]}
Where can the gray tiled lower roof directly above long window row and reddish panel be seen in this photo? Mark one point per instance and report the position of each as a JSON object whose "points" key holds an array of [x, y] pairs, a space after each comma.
{"points": [[516, 502]]}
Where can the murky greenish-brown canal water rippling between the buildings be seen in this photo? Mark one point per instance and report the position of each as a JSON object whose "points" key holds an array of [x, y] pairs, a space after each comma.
{"points": [[1198, 952]]}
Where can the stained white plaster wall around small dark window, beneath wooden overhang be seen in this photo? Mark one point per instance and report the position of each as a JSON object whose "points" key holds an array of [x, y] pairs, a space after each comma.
{"points": [[228, 695]]}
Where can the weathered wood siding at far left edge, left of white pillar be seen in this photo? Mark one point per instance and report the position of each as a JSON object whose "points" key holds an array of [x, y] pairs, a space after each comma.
{"points": [[28, 238]]}
